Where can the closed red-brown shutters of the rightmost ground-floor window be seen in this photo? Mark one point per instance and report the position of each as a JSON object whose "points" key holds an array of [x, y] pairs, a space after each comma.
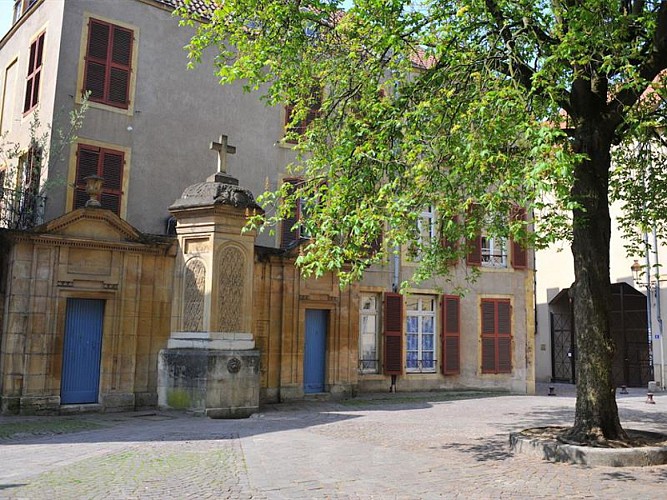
{"points": [[496, 336]]}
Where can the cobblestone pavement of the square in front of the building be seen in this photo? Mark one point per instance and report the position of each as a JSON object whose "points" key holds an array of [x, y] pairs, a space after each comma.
{"points": [[426, 447]]}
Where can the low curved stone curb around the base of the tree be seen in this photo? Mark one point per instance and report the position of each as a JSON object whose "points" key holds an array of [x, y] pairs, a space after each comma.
{"points": [[555, 451]]}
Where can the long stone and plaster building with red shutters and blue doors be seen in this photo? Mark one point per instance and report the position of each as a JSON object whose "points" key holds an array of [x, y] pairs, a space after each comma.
{"points": [[150, 138]]}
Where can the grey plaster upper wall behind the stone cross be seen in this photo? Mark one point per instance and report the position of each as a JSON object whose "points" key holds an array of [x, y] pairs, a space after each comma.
{"points": [[175, 114]]}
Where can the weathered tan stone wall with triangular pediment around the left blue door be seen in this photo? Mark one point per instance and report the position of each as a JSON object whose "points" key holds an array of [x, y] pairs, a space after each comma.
{"points": [[86, 254]]}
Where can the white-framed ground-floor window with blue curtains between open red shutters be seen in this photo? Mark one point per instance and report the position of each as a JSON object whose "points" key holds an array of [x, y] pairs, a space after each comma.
{"points": [[420, 333]]}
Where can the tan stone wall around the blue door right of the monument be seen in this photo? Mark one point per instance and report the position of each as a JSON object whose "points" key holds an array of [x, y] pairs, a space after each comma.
{"points": [[281, 297]]}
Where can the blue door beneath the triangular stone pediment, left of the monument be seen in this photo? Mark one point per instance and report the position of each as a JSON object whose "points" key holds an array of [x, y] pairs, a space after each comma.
{"points": [[82, 351]]}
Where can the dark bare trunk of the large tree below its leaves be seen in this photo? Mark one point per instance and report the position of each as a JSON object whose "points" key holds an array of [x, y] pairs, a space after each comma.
{"points": [[596, 414]]}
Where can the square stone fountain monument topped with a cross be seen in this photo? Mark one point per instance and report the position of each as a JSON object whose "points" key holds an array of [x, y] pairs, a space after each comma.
{"points": [[210, 365]]}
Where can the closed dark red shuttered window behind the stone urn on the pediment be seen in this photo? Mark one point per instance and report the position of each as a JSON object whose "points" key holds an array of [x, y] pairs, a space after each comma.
{"points": [[106, 163]]}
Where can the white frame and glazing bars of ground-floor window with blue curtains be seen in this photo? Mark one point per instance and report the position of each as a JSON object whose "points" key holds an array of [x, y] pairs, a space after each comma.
{"points": [[420, 314]]}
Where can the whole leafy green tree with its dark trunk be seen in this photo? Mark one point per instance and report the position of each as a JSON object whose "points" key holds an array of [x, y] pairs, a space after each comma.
{"points": [[474, 107]]}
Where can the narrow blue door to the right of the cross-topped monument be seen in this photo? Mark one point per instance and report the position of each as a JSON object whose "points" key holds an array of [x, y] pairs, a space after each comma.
{"points": [[314, 360]]}
